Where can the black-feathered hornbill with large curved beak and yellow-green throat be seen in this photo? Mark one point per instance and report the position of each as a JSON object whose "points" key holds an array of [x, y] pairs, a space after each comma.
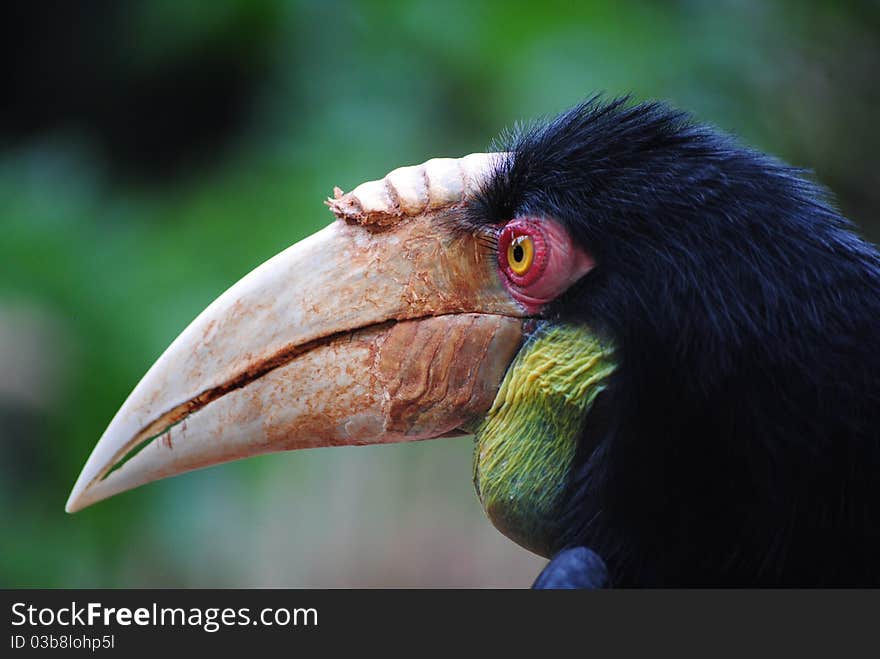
{"points": [[664, 343]]}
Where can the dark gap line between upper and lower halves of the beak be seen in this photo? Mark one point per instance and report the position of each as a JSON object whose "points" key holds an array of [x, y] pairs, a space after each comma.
{"points": [[180, 413]]}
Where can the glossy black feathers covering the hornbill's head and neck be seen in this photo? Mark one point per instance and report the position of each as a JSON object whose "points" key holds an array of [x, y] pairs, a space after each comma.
{"points": [[739, 442]]}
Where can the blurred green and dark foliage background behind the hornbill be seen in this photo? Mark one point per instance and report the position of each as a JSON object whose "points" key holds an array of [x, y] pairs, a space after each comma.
{"points": [[151, 153]]}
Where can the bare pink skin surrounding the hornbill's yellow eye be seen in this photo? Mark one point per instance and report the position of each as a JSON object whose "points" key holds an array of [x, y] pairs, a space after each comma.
{"points": [[558, 262]]}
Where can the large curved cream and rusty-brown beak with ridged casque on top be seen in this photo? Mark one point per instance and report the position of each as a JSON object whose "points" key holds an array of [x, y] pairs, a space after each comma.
{"points": [[388, 325]]}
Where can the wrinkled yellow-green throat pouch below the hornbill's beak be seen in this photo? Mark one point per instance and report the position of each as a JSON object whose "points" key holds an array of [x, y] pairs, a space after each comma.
{"points": [[526, 444]]}
